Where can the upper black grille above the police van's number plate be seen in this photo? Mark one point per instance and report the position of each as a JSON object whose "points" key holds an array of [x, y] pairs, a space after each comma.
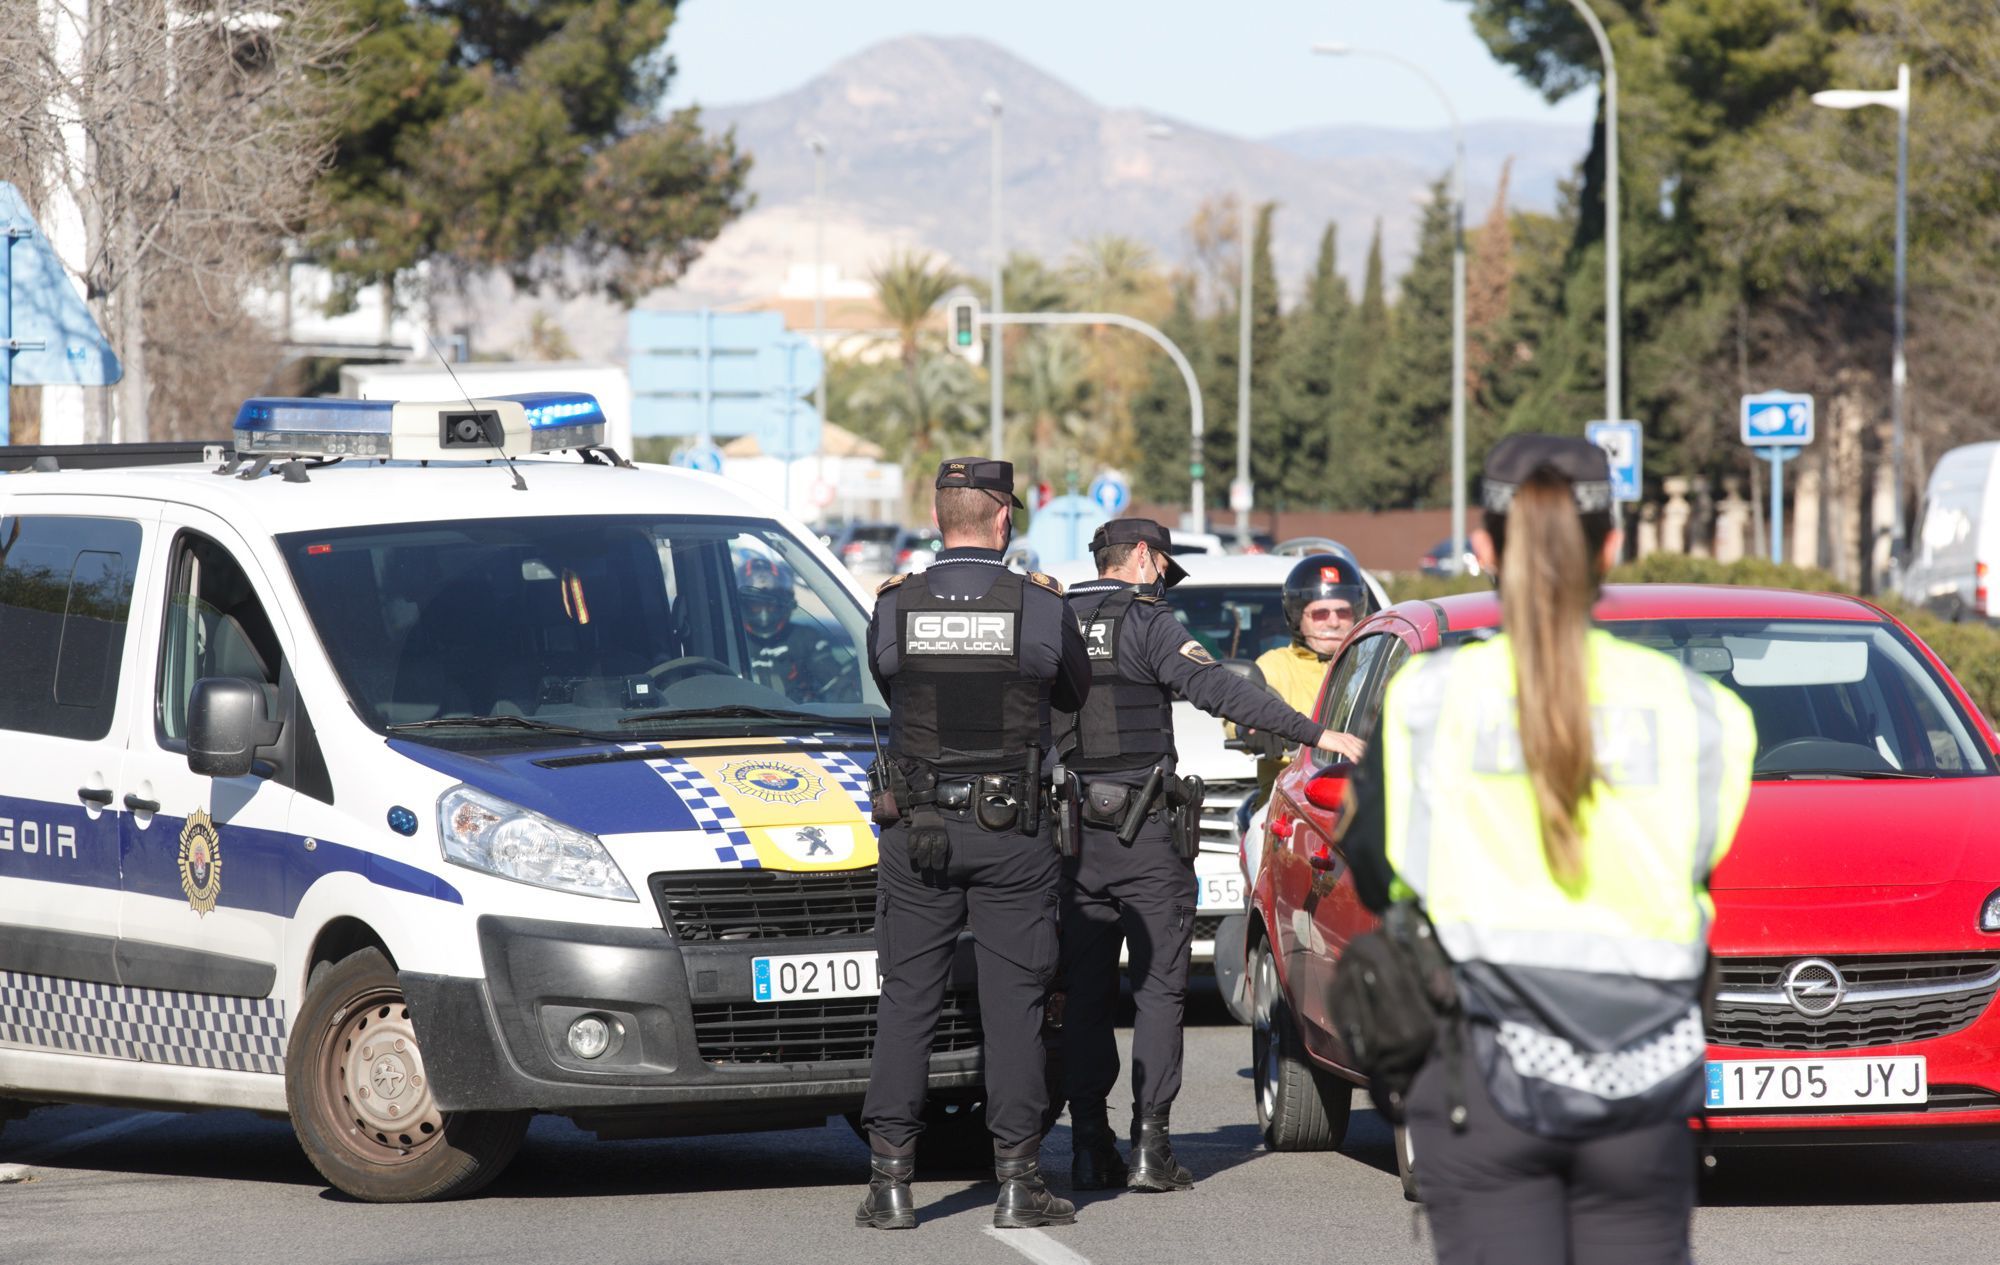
{"points": [[765, 906]]}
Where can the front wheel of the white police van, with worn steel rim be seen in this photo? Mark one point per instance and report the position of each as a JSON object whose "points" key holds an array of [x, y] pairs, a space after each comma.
{"points": [[361, 1096]]}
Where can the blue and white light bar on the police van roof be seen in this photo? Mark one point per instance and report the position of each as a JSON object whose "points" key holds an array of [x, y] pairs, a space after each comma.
{"points": [[541, 421]]}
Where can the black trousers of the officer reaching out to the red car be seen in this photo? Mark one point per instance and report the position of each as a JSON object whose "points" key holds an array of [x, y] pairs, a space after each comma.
{"points": [[1141, 898]]}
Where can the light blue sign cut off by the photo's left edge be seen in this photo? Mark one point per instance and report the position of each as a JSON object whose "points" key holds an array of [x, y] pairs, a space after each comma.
{"points": [[47, 333]]}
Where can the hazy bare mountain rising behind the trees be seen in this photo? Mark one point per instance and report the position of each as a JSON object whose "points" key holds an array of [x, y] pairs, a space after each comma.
{"points": [[909, 165]]}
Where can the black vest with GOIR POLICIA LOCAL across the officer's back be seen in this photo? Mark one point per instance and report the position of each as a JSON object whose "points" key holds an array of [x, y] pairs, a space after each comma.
{"points": [[963, 700]]}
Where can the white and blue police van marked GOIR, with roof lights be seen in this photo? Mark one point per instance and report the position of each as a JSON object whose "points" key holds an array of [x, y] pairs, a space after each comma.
{"points": [[369, 776]]}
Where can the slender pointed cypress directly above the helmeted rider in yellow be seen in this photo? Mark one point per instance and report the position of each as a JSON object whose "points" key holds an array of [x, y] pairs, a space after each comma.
{"points": [[1309, 367]]}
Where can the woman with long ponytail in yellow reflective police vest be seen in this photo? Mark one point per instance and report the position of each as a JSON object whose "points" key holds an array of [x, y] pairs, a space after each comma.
{"points": [[1555, 800]]}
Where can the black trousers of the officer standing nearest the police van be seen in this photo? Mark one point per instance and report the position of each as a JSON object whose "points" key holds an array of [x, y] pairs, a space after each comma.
{"points": [[1003, 888]]}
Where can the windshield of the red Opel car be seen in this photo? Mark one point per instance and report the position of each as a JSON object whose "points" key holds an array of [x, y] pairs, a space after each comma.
{"points": [[1831, 698]]}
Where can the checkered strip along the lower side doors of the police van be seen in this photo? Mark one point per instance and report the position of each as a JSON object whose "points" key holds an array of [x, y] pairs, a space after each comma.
{"points": [[147, 1026]]}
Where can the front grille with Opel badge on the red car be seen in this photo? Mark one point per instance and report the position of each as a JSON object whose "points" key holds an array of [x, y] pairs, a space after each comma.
{"points": [[1857, 1022]]}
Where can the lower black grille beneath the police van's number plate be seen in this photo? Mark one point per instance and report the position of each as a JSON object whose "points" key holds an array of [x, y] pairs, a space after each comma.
{"points": [[817, 1032]]}
